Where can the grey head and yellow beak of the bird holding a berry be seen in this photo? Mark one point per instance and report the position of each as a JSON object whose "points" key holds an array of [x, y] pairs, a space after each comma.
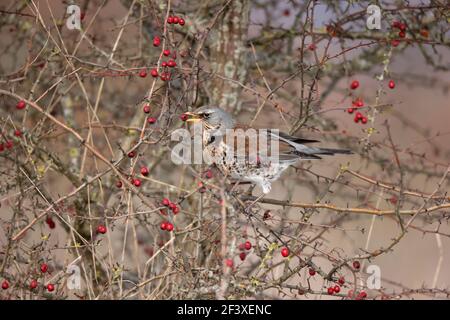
{"points": [[212, 118]]}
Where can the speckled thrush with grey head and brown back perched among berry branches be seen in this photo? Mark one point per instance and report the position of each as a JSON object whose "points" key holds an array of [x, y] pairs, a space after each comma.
{"points": [[233, 159]]}
